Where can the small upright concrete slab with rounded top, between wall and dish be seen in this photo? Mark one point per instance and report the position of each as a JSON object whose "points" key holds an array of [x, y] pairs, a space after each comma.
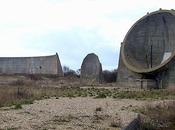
{"points": [[91, 69]]}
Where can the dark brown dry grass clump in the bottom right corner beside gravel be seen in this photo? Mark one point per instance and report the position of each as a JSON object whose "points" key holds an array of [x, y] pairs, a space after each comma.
{"points": [[159, 117]]}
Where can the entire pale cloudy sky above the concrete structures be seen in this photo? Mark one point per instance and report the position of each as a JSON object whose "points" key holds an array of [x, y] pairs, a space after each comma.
{"points": [[73, 28]]}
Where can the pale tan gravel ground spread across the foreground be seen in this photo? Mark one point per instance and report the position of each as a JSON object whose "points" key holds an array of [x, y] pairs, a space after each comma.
{"points": [[71, 114]]}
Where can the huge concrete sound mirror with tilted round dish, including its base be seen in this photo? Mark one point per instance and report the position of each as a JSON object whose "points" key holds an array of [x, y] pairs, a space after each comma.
{"points": [[148, 51]]}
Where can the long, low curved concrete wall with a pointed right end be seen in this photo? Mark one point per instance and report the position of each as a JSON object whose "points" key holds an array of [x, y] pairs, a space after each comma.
{"points": [[31, 65]]}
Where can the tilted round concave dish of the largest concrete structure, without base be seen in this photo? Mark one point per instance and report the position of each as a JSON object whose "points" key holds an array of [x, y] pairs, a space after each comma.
{"points": [[149, 45]]}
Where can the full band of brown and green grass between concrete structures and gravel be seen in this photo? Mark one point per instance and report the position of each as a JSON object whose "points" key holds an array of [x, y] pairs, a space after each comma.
{"points": [[25, 89]]}
